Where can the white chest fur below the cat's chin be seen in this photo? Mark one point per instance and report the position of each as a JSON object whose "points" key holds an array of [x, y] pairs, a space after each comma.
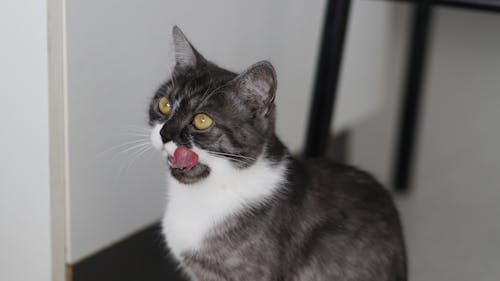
{"points": [[193, 210]]}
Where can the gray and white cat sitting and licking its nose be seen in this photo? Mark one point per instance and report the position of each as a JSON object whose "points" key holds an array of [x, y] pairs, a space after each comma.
{"points": [[240, 207]]}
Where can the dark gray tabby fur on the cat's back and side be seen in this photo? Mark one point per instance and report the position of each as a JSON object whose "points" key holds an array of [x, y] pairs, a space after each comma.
{"points": [[338, 225]]}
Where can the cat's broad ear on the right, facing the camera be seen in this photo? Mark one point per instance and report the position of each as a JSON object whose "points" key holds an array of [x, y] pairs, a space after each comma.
{"points": [[257, 85]]}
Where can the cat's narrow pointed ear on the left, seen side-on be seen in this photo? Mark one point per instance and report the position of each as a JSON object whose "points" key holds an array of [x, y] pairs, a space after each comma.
{"points": [[186, 55]]}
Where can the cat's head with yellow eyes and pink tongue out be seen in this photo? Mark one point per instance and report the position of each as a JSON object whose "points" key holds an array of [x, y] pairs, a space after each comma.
{"points": [[205, 116]]}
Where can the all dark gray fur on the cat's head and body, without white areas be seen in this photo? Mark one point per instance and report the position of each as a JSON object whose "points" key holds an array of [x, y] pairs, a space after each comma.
{"points": [[327, 222]]}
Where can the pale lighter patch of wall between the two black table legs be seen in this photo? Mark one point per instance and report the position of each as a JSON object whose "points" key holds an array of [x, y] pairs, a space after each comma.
{"points": [[370, 61]]}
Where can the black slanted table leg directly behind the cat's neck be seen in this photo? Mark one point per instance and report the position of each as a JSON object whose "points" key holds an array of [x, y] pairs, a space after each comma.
{"points": [[327, 74]]}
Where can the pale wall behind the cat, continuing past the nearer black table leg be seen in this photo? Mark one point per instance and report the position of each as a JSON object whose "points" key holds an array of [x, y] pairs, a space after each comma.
{"points": [[119, 52]]}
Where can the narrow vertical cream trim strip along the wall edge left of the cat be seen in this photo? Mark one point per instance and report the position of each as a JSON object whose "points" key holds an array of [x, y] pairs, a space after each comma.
{"points": [[56, 32]]}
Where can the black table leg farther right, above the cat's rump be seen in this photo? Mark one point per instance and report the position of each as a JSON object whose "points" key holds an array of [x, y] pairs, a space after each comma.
{"points": [[412, 96]]}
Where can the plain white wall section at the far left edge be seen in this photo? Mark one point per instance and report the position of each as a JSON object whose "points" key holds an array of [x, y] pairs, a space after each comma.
{"points": [[24, 171]]}
